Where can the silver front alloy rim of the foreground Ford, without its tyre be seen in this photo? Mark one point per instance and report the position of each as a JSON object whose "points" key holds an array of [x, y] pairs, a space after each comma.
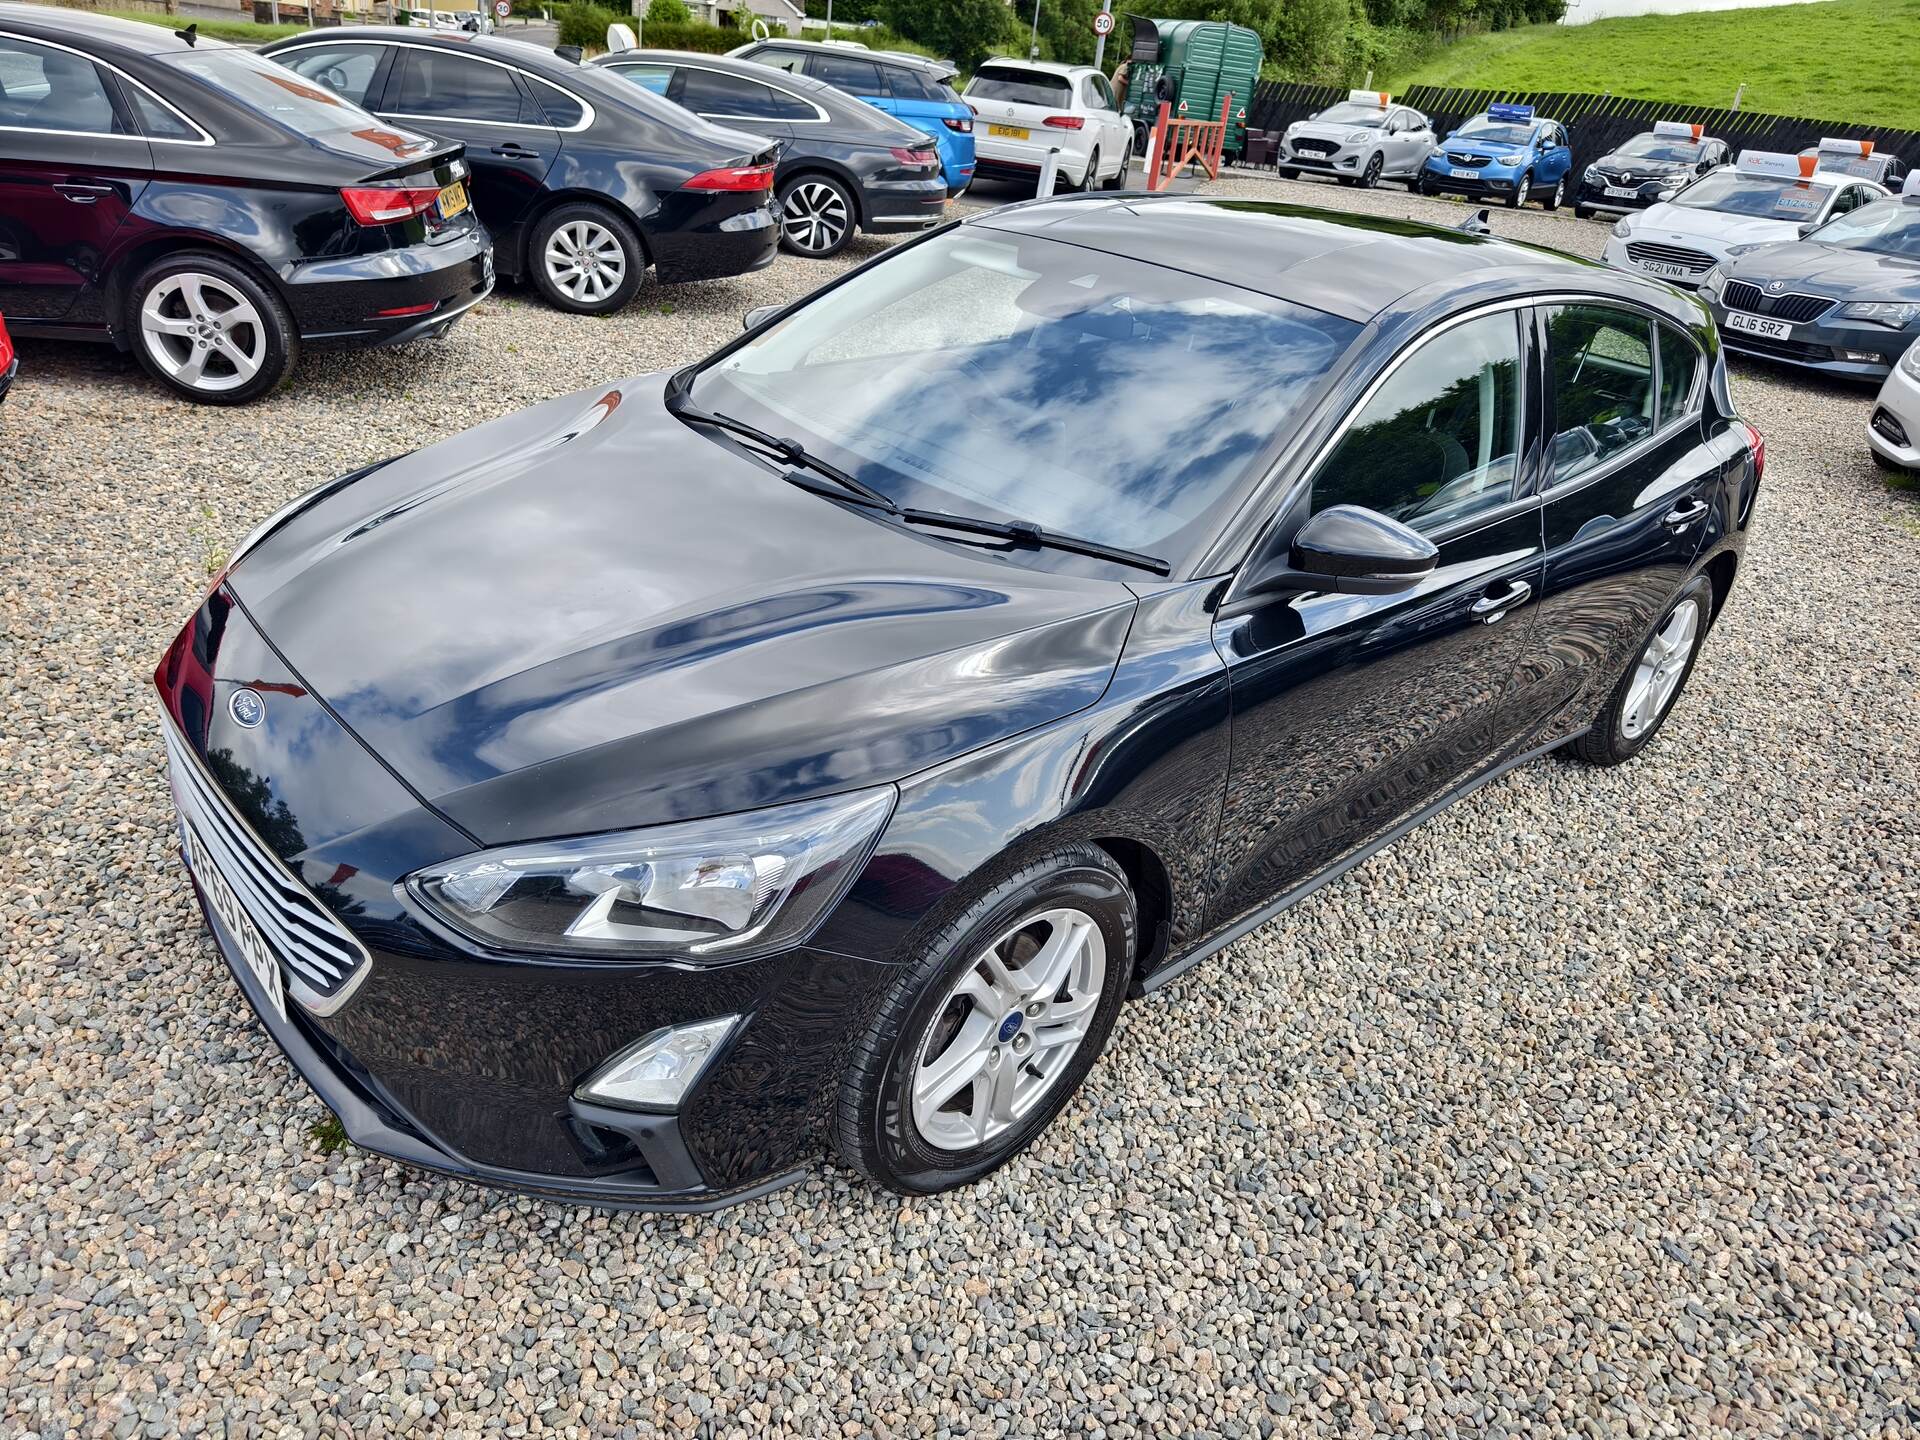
{"points": [[1009, 1030]]}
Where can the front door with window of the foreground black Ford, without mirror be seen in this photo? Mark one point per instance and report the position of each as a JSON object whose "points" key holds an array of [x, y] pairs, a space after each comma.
{"points": [[1355, 711]]}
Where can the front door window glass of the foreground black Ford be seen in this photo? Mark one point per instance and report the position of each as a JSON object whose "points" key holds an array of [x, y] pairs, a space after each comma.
{"points": [[1441, 439]]}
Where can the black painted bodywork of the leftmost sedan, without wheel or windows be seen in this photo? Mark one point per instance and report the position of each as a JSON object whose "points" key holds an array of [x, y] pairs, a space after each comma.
{"points": [[84, 214]]}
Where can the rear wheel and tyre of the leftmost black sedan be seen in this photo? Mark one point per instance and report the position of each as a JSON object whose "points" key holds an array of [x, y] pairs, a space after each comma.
{"points": [[208, 329]]}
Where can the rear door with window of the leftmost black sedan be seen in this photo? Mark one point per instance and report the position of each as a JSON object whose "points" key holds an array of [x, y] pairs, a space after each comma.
{"points": [[70, 172]]}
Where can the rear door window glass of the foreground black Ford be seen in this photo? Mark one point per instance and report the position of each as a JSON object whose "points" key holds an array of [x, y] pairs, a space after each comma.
{"points": [[1602, 385]]}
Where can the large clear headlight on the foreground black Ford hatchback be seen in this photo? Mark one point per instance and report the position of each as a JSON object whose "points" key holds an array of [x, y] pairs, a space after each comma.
{"points": [[702, 890]]}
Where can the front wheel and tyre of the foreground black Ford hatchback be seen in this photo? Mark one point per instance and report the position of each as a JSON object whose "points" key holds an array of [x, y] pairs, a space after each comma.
{"points": [[988, 1034]]}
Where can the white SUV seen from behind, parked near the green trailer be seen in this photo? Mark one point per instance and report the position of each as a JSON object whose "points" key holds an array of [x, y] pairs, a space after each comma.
{"points": [[1026, 108]]}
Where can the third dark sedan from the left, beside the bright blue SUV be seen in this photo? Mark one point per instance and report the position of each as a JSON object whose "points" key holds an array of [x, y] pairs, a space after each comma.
{"points": [[844, 166]]}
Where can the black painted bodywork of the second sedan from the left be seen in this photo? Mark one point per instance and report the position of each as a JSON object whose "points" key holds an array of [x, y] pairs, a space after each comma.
{"points": [[633, 155]]}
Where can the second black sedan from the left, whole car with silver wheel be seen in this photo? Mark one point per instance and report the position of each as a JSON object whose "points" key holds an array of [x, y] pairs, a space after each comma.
{"points": [[585, 180]]}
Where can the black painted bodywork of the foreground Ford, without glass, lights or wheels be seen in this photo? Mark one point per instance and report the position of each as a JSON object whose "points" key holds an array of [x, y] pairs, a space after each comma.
{"points": [[592, 617]]}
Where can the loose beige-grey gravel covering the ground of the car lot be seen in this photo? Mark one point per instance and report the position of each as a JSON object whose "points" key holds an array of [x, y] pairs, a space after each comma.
{"points": [[1589, 1109]]}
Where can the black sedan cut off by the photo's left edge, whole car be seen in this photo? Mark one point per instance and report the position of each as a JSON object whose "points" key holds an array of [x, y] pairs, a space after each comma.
{"points": [[203, 208]]}
